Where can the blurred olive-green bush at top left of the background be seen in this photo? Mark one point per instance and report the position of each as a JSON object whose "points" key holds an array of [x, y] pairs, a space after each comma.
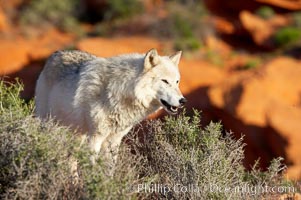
{"points": [[62, 14]]}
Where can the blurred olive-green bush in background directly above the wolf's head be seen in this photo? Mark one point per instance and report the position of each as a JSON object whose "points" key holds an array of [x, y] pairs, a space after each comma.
{"points": [[184, 24]]}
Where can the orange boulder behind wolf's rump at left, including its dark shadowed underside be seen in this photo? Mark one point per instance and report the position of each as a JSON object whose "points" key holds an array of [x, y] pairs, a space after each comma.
{"points": [[25, 58]]}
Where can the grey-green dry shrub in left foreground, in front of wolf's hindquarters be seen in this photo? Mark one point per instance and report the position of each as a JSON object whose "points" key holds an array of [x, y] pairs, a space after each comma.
{"points": [[36, 158]]}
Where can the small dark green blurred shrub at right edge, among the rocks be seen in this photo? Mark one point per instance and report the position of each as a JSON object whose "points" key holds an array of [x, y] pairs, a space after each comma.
{"points": [[286, 36]]}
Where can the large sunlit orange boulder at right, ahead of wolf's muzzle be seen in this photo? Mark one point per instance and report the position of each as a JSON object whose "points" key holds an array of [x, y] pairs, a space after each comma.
{"points": [[278, 81]]}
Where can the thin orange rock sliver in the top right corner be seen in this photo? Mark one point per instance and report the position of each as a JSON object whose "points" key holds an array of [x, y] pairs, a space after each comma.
{"points": [[286, 4]]}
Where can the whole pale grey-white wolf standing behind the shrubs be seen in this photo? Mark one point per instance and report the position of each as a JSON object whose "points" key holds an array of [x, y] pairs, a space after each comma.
{"points": [[103, 98]]}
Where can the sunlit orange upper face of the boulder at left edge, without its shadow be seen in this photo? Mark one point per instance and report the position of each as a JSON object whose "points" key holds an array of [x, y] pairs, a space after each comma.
{"points": [[17, 52]]}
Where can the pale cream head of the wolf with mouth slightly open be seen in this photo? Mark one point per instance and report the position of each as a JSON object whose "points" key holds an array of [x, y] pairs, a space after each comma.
{"points": [[163, 76]]}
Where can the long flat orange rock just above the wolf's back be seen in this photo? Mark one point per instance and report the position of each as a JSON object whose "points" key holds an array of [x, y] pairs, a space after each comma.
{"points": [[109, 47]]}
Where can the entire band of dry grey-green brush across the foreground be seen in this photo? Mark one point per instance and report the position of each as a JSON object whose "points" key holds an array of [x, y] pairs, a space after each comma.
{"points": [[174, 159]]}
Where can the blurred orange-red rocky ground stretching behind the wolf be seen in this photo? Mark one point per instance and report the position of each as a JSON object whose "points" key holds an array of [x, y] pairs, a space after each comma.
{"points": [[227, 78]]}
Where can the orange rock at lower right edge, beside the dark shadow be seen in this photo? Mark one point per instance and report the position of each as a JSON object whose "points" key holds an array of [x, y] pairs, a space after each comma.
{"points": [[285, 122]]}
